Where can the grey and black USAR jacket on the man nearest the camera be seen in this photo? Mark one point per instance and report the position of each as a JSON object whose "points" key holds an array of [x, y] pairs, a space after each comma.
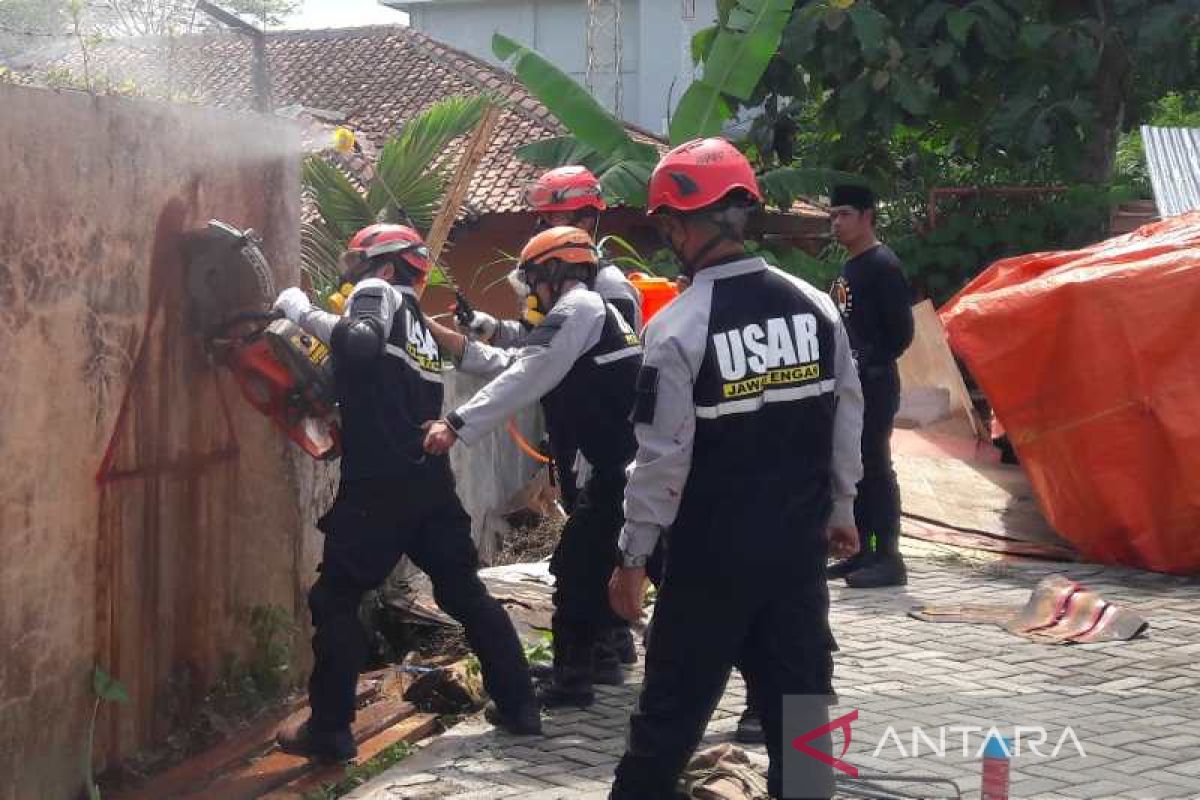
{"points": [[748, 381]]}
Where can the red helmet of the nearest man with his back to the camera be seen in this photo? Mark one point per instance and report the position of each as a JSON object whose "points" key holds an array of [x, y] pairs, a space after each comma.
{"points": [[698, 175]]}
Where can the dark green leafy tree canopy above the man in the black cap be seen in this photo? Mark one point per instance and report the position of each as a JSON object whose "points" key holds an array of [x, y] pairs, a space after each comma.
{"points": [[1023, 86]]}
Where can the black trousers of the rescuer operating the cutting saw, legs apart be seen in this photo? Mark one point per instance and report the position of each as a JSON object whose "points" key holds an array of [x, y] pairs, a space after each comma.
{"points": [[369, 528]]}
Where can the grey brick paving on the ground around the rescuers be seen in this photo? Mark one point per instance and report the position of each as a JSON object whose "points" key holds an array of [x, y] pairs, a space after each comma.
{"points": [[1135, 708]]}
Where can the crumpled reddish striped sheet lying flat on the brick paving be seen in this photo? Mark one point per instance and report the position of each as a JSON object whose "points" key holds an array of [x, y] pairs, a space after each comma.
{"points": [[1060, 611]]}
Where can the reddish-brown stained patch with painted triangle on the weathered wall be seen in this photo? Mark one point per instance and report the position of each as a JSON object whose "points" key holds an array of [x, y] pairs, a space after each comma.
{"points": [[157, 537]]}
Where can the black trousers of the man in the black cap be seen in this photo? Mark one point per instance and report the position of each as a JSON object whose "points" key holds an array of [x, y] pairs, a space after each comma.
{"points": [[878, 506]]}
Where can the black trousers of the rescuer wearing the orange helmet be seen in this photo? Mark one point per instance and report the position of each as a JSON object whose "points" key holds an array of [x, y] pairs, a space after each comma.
{"points": [[583, 564]]}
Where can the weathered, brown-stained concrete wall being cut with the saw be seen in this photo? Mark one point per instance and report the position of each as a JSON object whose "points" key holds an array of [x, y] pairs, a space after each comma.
{"points": [[143, 563]]}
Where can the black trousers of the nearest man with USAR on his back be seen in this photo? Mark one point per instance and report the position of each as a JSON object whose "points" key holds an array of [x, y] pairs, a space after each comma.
{"points": [[743, 584]]}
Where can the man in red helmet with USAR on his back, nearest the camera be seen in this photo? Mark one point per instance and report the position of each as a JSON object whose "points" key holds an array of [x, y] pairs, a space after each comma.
{"points": [[748, 418]]}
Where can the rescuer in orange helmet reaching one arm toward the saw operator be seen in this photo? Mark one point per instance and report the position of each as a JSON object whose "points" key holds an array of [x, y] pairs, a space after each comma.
{"points": [[581, 363]]}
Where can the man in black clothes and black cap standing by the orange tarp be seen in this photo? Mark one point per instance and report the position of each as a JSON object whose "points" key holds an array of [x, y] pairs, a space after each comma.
{"points": [[875, 300]]}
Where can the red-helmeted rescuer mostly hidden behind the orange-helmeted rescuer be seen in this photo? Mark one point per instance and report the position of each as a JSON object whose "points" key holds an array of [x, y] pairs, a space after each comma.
{"points": [[572, 196]]}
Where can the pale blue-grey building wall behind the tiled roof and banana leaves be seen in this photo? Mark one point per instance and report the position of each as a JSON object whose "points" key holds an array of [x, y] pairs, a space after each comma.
{"points": [[656, 41]]}
